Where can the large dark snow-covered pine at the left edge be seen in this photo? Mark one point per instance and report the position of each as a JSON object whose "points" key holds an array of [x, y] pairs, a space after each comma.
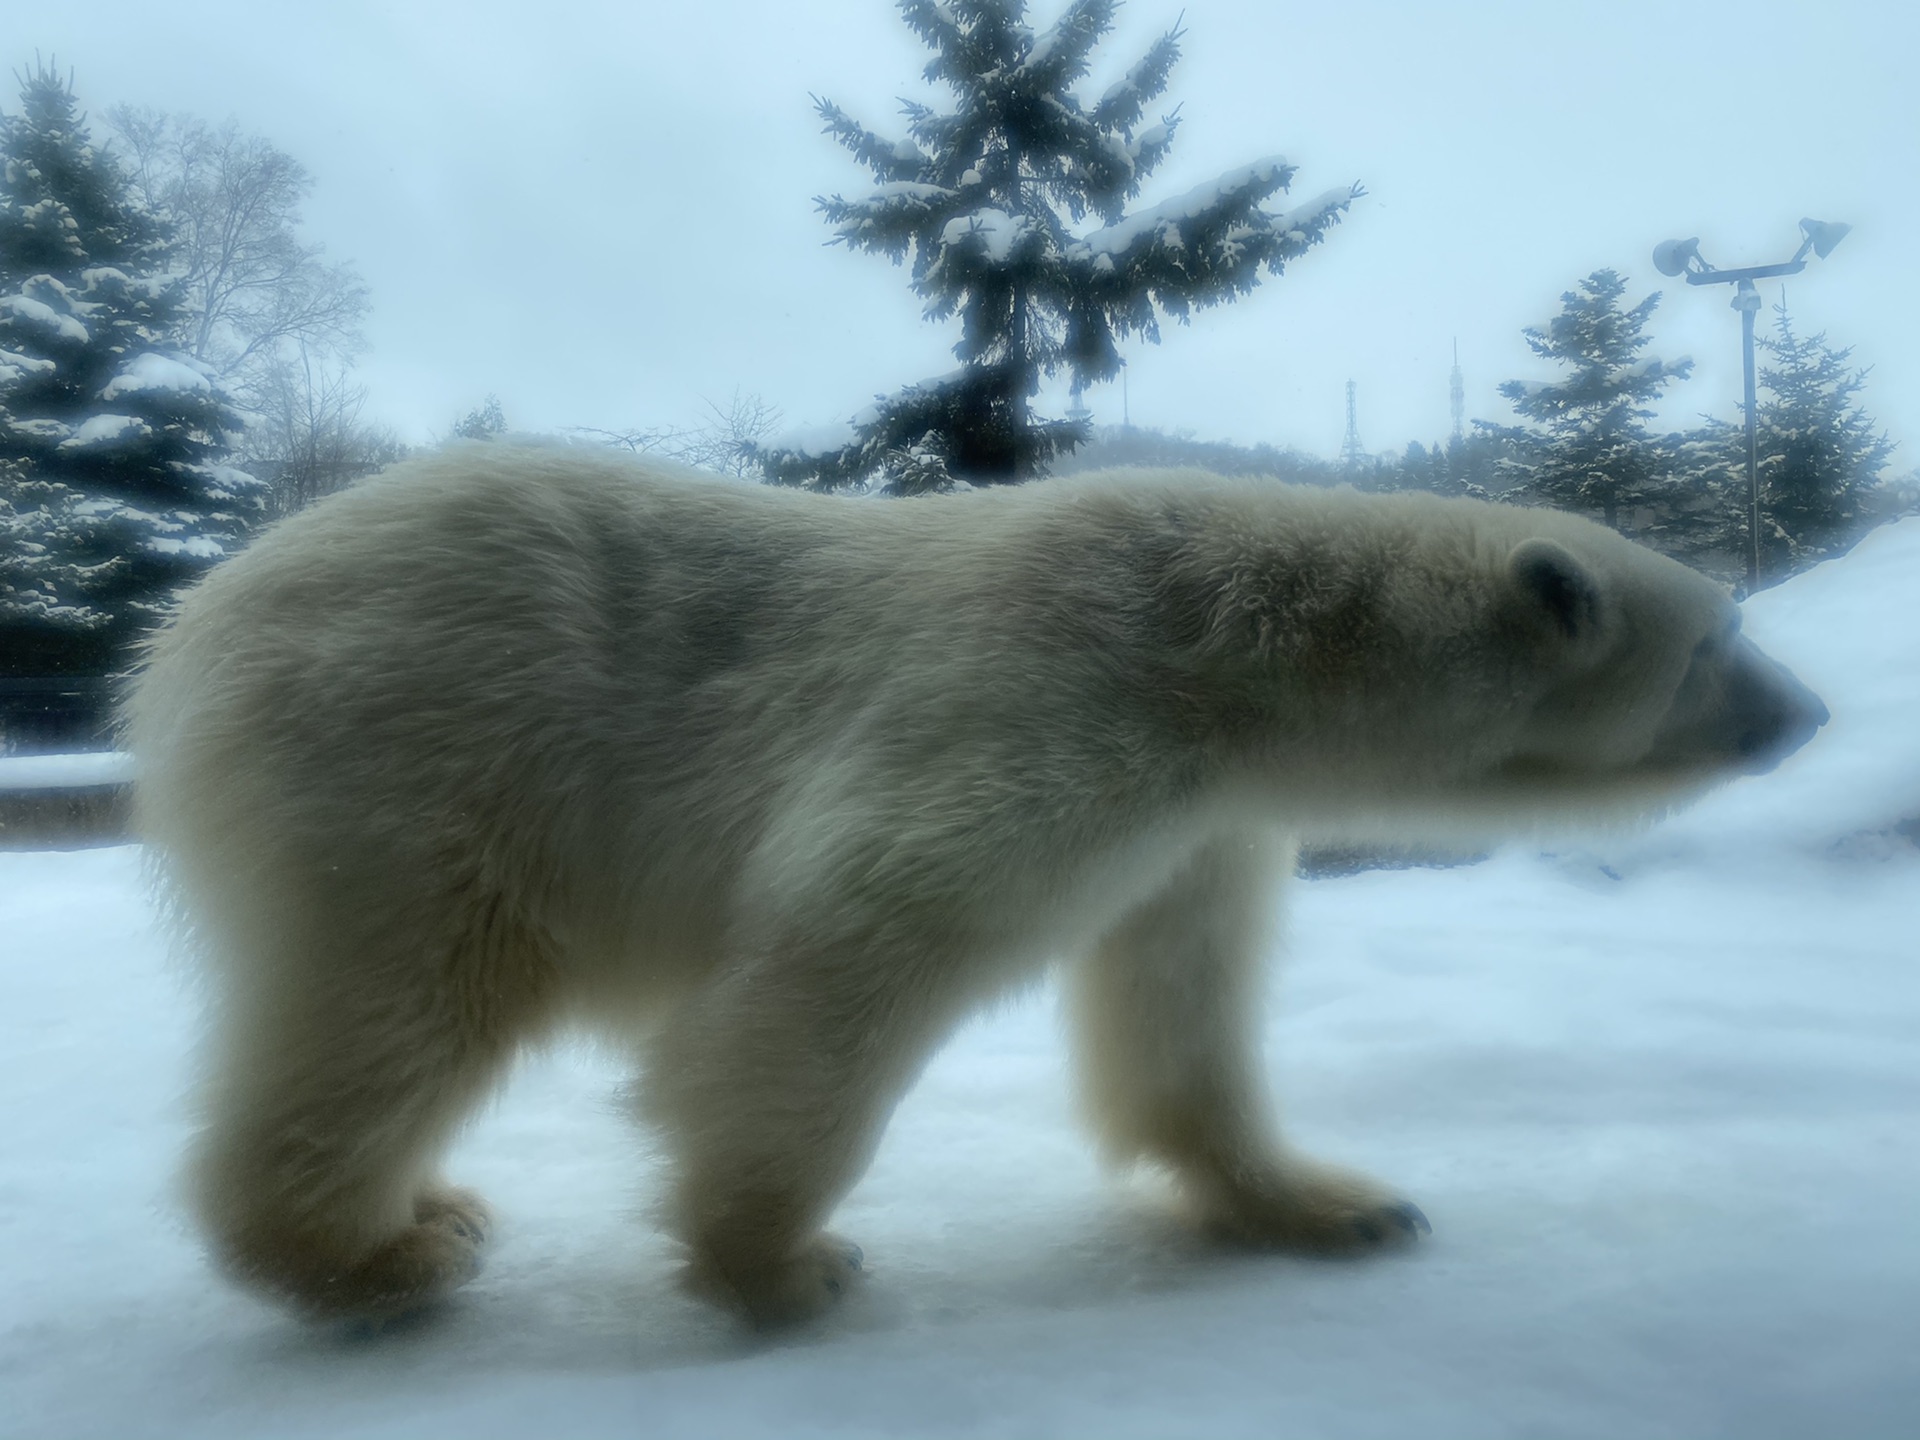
{"points": [[112, 492]]}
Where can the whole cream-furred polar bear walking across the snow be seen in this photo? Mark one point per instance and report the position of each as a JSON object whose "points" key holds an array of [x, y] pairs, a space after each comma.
{"points": [[784, 786]]}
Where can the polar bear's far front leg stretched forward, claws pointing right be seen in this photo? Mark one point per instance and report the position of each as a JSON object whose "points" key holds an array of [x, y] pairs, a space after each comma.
{"points": [[1166, 1013]]}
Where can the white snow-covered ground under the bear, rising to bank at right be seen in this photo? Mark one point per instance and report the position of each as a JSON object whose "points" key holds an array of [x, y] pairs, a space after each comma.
{"points": [[1660, 1097]]}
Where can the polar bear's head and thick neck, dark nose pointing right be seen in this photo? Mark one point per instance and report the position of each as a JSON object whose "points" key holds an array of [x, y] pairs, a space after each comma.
{"points": [[1452, 665]]}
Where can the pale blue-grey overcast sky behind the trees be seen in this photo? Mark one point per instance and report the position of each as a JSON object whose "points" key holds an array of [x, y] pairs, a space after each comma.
{"points": [[604, 212]]}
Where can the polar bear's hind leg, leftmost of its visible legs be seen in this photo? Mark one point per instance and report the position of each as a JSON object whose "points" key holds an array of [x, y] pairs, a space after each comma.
{"points": [[331, 1101]]}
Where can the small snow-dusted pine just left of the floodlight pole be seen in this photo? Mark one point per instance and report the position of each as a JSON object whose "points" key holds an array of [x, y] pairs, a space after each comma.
{"points": [[1585, 444]]}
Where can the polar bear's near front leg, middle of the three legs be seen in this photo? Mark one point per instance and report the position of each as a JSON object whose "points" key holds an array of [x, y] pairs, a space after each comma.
{"points": [[771, 1090]]}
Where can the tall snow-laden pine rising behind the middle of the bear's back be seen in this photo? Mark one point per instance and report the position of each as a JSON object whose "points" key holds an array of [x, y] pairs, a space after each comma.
{"points": [[984, 199]]}
